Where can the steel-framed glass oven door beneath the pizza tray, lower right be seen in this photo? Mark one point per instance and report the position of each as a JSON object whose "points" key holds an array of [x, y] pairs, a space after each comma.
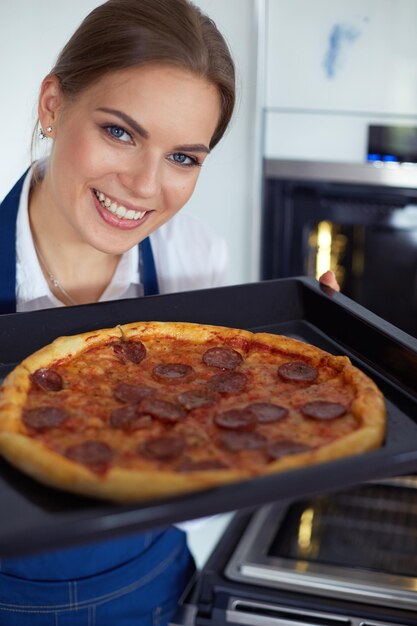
{"points": [[359, 545]]}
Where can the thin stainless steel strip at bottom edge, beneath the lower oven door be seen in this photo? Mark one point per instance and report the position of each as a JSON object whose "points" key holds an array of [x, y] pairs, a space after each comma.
{"points": [[251, 613]]}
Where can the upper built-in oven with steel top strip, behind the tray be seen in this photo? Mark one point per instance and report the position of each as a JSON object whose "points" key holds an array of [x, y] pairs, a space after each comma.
{"points": [[358, 219]]}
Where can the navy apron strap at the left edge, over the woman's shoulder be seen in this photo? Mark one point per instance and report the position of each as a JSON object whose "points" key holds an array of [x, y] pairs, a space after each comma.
{"points": [[8, 216]]}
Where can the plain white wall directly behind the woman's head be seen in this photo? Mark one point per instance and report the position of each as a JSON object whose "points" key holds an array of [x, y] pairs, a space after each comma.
{"points": [[32, 33]]}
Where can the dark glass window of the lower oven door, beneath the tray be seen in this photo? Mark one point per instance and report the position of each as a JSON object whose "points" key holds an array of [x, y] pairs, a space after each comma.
{"points": [[373, 527]]}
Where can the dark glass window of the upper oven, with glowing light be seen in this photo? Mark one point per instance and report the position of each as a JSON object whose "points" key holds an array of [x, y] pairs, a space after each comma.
{"points": [[375, 265]]}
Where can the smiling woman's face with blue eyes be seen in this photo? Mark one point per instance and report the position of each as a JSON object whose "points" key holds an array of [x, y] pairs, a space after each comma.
{"points": [[127, 153]]}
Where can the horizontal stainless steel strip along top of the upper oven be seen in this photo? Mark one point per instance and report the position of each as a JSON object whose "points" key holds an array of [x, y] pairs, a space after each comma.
{"points": [[387, 174]]}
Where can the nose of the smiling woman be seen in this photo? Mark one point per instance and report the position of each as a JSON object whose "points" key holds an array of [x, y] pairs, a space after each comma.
{"points": [[141, 176]]}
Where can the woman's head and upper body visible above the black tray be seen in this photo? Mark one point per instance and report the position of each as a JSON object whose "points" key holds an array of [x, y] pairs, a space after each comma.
{"points": [[119, 167]]}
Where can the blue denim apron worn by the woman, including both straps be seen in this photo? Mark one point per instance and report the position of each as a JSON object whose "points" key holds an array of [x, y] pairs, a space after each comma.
{"points": [[130, 581]]}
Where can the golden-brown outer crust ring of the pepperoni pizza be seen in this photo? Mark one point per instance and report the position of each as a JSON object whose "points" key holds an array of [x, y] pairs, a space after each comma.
{"points": [[124, 485]]}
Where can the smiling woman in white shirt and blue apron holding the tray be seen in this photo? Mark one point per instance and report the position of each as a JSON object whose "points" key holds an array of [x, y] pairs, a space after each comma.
{"points": [[138, 98]]}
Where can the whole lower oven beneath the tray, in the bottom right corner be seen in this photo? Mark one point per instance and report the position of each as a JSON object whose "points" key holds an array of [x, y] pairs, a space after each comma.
{"points": [[347, 558]]}
